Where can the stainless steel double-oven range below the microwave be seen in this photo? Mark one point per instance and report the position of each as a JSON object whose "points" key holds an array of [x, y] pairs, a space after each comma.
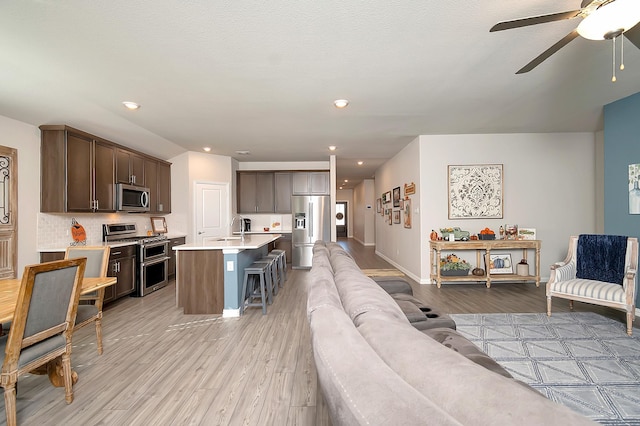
{"points": [[152, 255]]}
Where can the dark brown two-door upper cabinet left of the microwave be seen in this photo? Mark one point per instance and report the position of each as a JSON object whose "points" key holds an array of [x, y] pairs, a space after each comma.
{"points": [[77, 171]]}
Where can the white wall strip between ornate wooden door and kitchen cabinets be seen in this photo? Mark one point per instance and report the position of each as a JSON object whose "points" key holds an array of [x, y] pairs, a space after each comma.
{"points": [[26, 139]]}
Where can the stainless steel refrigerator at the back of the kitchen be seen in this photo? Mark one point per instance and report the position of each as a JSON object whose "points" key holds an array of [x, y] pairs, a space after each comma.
{"points": [[311, 222]]}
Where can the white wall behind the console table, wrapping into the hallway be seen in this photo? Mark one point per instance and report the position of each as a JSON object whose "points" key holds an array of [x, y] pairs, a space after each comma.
{"points": [[549, 184]]}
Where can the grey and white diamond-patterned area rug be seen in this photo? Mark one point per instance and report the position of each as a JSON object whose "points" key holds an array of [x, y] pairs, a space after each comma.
{"points": [[582, 360]]}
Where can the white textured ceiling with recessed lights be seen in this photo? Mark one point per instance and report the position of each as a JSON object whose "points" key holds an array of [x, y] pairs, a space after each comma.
{"points": [[261, 76]]}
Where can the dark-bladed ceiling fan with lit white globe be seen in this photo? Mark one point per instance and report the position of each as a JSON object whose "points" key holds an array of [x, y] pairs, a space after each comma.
{"points": [[601, 19]]}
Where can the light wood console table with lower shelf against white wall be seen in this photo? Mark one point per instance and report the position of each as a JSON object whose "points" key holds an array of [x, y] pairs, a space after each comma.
{"points": [[484, 246]]}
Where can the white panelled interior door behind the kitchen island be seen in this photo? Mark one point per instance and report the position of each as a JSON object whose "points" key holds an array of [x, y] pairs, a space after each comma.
{"points": [[211, 210]]}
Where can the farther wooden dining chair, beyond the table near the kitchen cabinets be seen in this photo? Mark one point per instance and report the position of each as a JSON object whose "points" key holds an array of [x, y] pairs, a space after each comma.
{"points": [[90, 307]]}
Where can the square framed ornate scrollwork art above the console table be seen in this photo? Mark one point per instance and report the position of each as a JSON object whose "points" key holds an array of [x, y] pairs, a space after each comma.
{"points": [[475, 191]]}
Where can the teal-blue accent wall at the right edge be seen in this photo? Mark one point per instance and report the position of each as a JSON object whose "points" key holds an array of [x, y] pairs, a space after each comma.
{"points": [[621, 148]]}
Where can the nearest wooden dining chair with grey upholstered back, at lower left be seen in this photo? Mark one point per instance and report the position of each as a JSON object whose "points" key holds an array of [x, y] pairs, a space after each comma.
{"points": [[42, 326]]}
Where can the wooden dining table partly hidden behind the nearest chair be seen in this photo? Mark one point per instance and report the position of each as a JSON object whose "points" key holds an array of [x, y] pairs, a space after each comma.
{"points": [[9, 289]]}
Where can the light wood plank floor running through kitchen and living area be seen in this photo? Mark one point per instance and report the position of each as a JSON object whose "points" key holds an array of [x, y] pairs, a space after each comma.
{"points": [[161, 367]]}
